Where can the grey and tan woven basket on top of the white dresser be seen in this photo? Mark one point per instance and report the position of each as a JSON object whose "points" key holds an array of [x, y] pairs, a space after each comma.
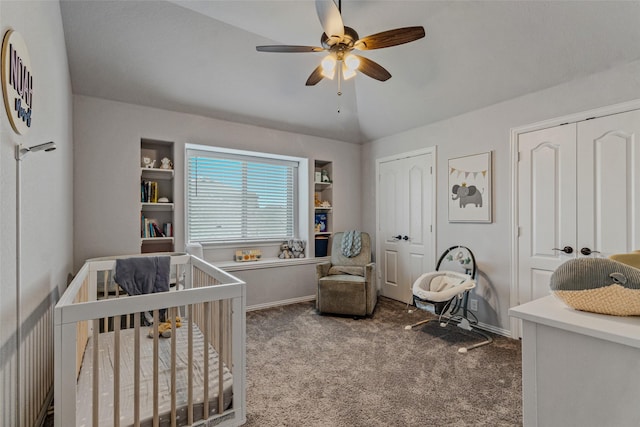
{"points": [[600, 285]]}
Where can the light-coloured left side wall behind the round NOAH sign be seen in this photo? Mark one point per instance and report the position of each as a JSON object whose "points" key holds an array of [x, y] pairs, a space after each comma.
{"points": [[47, 199]]}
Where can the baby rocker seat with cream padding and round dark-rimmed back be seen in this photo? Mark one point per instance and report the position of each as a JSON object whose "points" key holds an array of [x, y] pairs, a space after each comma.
{"points": [[445, 292]]}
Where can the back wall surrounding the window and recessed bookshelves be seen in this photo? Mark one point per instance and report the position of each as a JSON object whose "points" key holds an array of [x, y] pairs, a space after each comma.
{"points": [[107, 138]]}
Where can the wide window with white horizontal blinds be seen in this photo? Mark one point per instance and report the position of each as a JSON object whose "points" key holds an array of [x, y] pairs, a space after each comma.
{"points": [[240, 196]]}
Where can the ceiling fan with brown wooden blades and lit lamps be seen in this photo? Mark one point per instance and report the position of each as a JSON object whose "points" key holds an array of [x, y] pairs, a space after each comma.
{"points": [[340, 40]]}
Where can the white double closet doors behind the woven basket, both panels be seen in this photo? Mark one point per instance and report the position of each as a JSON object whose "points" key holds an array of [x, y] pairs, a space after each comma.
{"points": [[578, 195]]}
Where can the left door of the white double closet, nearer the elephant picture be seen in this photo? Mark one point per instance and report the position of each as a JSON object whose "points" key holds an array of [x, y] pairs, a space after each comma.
{"points": [[546, 206]]}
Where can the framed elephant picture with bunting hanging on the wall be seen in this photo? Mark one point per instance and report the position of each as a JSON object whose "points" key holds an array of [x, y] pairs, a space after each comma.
{"points": [[469, 192]]}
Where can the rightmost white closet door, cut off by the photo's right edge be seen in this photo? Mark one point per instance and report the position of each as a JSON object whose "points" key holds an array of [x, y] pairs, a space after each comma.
{"points": [[608, 167]]}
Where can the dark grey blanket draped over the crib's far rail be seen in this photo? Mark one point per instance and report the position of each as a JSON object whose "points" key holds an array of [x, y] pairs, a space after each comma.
{"points": [[143, 275]]}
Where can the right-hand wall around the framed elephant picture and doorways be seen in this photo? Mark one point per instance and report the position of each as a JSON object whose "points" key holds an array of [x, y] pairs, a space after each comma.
{"points": [[485, 130]]}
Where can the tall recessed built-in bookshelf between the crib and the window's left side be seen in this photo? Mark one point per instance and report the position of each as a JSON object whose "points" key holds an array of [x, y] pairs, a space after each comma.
{"points": [[151, 210]]}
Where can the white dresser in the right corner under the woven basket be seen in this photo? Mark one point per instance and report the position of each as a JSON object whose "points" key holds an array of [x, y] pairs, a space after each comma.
{"points": [[578, 369]]}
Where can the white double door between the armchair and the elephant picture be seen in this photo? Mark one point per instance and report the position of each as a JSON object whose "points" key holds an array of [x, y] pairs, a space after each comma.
{"points": [[405, 222]]}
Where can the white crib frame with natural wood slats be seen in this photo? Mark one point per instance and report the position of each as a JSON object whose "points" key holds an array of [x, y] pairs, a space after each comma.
{"points": [[211, 301]]}
